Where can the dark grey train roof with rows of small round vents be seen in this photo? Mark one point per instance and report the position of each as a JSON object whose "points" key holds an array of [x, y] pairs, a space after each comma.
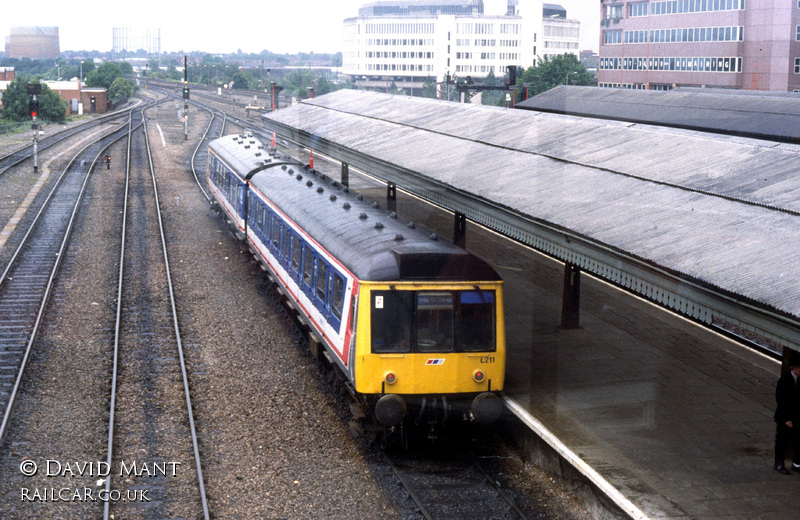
{"points": [[371, 242]]}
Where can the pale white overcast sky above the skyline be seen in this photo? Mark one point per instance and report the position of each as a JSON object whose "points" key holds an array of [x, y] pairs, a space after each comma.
{"points": [[286, 26]]}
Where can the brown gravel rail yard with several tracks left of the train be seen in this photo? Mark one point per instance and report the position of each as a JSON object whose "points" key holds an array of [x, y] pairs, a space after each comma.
{"points": [[138, 322]]}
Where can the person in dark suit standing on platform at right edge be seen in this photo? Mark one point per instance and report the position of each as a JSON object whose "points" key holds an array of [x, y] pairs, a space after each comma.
{"points": [[787, 416]]}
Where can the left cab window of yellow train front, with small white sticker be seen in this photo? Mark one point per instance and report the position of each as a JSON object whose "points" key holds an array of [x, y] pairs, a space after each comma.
{"points": [[391, 318]]}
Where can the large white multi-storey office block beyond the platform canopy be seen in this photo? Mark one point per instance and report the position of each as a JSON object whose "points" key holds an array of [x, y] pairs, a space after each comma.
{"points": [[406, 42]]}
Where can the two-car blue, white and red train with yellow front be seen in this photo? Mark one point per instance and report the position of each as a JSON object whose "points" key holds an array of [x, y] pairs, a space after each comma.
{"points": [[413, 324]]}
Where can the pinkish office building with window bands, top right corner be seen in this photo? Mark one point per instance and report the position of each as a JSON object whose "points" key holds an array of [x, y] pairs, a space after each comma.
{"points": [[659, 44]]}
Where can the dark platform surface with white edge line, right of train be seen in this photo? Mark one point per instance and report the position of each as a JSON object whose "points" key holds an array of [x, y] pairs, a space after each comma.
{"points": [[666, 419]]}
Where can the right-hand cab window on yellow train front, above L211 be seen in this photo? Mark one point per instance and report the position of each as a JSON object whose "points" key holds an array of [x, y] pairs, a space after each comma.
{"points": [[476, 321]]}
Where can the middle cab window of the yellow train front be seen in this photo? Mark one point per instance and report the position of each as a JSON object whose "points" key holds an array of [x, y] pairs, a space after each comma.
{"points": [[435, 321]]}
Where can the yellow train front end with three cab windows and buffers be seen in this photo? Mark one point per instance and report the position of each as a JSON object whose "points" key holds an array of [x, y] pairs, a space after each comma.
{"points": [[429, 347]]}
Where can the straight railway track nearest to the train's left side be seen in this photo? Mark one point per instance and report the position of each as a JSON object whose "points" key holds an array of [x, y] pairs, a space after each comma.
{"points": [[149, 366]]}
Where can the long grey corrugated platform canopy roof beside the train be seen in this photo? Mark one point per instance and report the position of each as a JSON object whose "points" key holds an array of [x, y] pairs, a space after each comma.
{"points": [[704, 224]]}
